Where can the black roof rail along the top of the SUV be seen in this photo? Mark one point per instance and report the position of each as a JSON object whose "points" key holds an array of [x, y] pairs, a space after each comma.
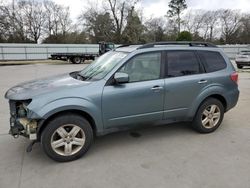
{"points": [[190, 43]]}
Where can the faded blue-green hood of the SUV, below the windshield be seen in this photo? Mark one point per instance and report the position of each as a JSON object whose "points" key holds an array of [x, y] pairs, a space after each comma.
{"points": [[28, 90]]}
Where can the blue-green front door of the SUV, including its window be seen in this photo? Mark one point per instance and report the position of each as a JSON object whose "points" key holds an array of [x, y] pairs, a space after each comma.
{"points": [[140, 100]]}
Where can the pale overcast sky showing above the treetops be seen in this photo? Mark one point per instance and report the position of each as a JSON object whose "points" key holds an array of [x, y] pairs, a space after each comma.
{"points": [[157, 8]]}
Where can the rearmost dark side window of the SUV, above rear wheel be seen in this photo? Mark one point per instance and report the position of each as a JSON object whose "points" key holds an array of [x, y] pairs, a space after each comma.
{"points": [[213, 61]]}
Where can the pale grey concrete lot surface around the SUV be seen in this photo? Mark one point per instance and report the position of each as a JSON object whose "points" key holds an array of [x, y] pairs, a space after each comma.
{"points": [[165, 156]]}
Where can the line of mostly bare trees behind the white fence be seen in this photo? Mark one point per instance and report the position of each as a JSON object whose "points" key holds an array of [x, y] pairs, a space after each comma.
{"points": [[119, 21]]}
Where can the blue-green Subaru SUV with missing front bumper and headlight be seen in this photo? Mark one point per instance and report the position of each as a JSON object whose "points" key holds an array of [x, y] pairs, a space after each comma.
{"points": [[151, 84]]}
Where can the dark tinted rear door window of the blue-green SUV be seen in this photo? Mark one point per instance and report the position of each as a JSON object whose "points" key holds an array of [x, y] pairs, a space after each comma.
{"points": [[181, 63]]}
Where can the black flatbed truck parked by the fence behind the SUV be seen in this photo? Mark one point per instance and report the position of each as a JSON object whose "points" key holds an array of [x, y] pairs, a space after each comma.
{"points": [[77, 58]]}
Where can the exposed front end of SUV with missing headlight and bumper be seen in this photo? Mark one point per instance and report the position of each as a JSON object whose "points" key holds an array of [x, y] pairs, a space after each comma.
{"points": [[20, 124]]}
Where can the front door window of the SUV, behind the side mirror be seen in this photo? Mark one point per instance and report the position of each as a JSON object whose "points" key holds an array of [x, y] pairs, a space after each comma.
{"points": [[143, 67]]}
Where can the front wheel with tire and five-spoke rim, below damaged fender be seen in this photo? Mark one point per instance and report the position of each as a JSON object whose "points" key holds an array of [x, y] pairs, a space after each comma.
{"points": [[67, 137]]}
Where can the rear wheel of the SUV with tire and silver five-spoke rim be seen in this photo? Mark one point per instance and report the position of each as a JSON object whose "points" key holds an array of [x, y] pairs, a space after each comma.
{"points": [[209, 116]]}
